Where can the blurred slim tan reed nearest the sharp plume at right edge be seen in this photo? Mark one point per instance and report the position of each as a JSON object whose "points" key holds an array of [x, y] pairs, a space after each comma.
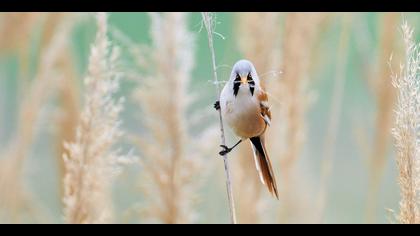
{"points": [[385, 95]]}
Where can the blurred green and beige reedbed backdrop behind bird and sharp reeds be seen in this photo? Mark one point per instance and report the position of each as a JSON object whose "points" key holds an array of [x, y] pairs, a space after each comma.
{"points": [[328, 76]]}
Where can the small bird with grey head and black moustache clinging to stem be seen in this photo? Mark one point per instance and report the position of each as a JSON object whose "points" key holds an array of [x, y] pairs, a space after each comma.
{"points": [[244, 106]]}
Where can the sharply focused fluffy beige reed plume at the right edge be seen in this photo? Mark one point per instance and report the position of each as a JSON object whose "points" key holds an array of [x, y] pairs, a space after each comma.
{"points": [[406, 127]]}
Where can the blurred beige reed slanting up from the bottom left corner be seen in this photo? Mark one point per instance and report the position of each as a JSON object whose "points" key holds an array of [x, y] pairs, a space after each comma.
{"points": [[15, 199]]}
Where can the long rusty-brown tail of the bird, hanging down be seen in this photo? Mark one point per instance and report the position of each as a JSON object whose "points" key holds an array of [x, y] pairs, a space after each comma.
{"points": [[263, 164]]}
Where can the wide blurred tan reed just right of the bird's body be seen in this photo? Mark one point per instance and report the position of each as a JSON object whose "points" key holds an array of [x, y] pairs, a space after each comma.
{"points": [[300, 32]]}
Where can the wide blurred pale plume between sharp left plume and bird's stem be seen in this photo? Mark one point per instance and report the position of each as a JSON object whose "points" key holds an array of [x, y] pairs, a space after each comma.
{"points": [[172, 168]]}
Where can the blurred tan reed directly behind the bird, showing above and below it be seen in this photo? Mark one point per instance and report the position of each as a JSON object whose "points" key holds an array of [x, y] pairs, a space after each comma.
{"points": [[259, 45]]}
